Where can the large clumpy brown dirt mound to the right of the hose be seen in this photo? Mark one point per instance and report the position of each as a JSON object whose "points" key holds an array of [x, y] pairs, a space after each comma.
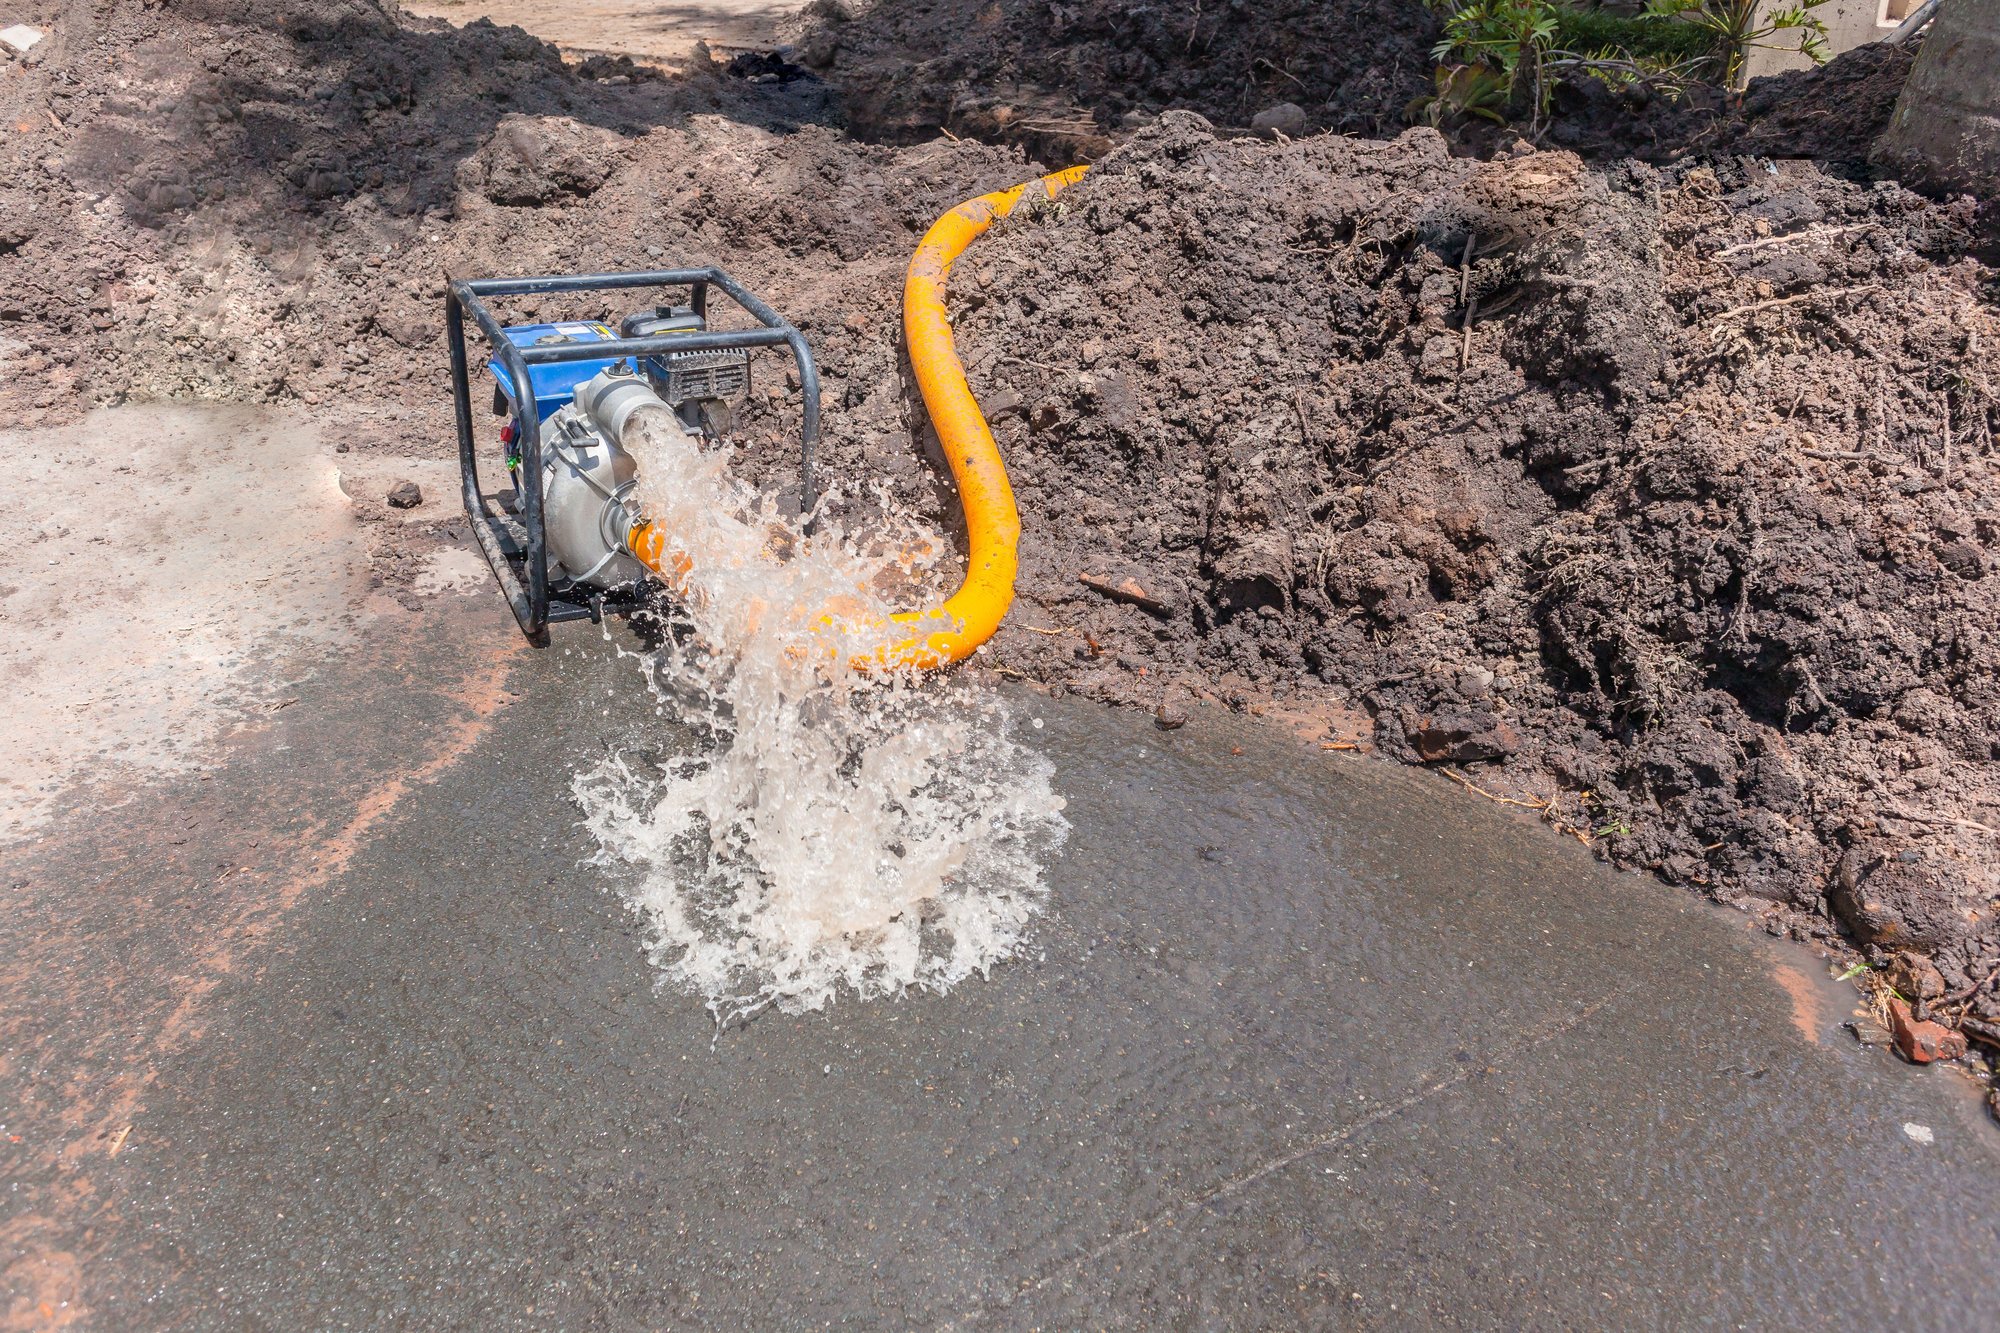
{"points": [[1689, 537]]}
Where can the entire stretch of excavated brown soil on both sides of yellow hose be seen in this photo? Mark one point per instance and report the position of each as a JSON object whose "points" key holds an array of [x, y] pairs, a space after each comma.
{"points": [[1651, 497]]}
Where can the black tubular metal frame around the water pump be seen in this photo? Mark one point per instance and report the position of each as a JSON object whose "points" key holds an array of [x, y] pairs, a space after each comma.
{"points": [[523, 571]]}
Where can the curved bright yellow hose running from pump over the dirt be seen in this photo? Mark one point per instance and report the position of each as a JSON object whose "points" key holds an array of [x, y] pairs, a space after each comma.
{"points": [[993, 521]]}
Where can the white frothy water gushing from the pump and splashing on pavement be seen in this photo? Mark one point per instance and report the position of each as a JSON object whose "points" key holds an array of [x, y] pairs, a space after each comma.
{"points": [[829, 832]]}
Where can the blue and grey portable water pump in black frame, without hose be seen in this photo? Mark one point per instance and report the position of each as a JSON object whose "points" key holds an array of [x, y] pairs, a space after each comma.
{"points": [[561, 541]]}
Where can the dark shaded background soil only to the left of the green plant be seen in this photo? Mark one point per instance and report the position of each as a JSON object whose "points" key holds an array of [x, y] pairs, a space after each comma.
{"points": [[1071, 73]]}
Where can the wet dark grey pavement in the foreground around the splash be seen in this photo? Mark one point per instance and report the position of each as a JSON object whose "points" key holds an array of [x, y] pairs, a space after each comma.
{"points": [[1301, 1042]]}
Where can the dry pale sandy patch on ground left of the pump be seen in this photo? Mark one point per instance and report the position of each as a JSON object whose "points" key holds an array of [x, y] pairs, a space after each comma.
{"points": [[167, 559]]}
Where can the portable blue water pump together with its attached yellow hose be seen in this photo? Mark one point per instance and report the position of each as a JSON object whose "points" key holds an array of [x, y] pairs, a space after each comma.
{"points": [[573, 545]]}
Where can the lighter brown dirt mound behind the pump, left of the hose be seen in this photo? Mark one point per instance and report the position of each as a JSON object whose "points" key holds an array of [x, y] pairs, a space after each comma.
{"points": [[263, 203]]}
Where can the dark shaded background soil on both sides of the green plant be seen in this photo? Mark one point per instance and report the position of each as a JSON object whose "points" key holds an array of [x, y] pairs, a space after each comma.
{"points": [[1069, 81]]}
